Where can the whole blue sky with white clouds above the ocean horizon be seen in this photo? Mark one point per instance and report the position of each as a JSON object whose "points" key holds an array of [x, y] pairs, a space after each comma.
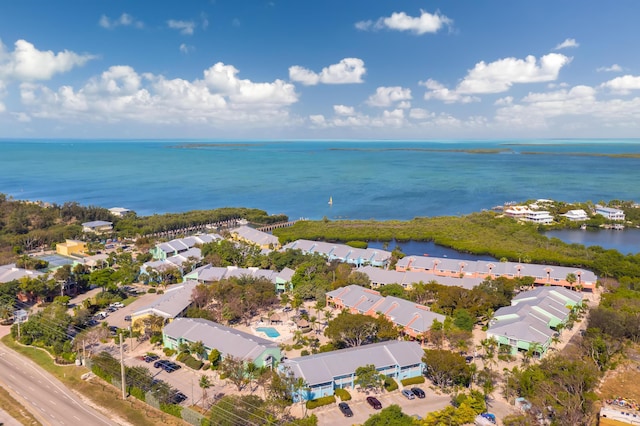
{"points": [[319, 69]]}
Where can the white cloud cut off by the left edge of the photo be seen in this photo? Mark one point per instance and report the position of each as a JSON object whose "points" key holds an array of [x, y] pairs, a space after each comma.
{"points": [[26, 63]]}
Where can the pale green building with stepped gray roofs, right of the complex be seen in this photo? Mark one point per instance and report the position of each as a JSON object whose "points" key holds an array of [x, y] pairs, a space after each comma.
{"points": [[533, 319]]}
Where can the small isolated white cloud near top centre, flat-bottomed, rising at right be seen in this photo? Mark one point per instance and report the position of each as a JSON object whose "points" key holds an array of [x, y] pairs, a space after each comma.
{"points": [[348, 70]]}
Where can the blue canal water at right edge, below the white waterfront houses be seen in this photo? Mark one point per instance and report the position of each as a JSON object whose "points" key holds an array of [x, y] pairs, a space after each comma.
{"points": [[625, 241]]}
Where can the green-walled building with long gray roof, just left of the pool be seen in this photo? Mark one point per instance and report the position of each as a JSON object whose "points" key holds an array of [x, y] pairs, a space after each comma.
{"points": [[228, 341]]}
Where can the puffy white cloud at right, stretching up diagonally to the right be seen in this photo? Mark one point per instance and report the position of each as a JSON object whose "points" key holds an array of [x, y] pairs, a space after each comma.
{"points": [[498, 77]]}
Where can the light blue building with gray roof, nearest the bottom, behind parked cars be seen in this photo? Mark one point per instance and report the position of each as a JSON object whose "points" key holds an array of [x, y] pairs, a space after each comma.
{"points": [[323, 373]]}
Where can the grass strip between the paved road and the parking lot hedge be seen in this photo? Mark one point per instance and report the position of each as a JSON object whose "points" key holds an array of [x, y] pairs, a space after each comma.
{"points": [[100, 393]]}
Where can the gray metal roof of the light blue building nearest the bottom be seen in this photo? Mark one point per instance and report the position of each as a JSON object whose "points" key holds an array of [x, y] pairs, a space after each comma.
{"points": [[324, 367]]}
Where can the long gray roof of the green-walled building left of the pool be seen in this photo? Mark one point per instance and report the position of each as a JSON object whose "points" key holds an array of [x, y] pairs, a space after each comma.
{"points": [[227, 340]]}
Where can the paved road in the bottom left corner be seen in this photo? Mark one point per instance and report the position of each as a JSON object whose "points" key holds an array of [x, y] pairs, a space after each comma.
{"points": [[42, 394]]}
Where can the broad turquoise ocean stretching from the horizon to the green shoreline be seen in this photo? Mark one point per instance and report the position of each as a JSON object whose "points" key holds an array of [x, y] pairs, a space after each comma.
{"points": [[380, 180]]}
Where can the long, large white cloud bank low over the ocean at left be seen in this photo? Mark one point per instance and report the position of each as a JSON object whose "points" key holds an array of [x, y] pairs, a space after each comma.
{"points": [[122, 94]]}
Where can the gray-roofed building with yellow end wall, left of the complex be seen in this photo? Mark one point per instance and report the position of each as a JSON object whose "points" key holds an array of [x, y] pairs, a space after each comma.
{"points": [[172, 304]]}
